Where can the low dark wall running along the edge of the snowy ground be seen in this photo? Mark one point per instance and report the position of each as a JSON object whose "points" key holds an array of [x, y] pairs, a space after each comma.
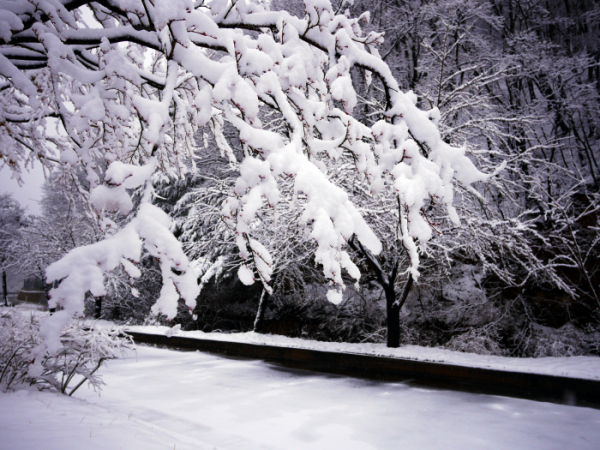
{"points": [[495, 382]]}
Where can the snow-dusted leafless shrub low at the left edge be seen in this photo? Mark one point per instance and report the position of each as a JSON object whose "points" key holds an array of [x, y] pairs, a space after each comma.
{"points": [[85, 347]]}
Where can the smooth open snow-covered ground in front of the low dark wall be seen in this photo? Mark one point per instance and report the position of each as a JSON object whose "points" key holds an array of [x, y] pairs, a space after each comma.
{"points": [[164, 399]]}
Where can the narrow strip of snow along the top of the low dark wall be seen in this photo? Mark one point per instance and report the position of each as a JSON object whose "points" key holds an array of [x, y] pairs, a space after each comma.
{"points": [[584, 367]]}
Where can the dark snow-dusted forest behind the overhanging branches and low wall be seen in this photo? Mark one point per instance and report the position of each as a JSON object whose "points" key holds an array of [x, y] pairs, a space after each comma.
{"points": [[517, 83]]}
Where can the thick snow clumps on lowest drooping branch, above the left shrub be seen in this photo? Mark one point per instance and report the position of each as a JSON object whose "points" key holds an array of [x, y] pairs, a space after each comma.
{"points": [[82, 270]]}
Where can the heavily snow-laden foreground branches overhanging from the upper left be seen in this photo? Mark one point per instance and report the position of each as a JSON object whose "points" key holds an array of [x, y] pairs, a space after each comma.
{"points": [[118, 88]]}
